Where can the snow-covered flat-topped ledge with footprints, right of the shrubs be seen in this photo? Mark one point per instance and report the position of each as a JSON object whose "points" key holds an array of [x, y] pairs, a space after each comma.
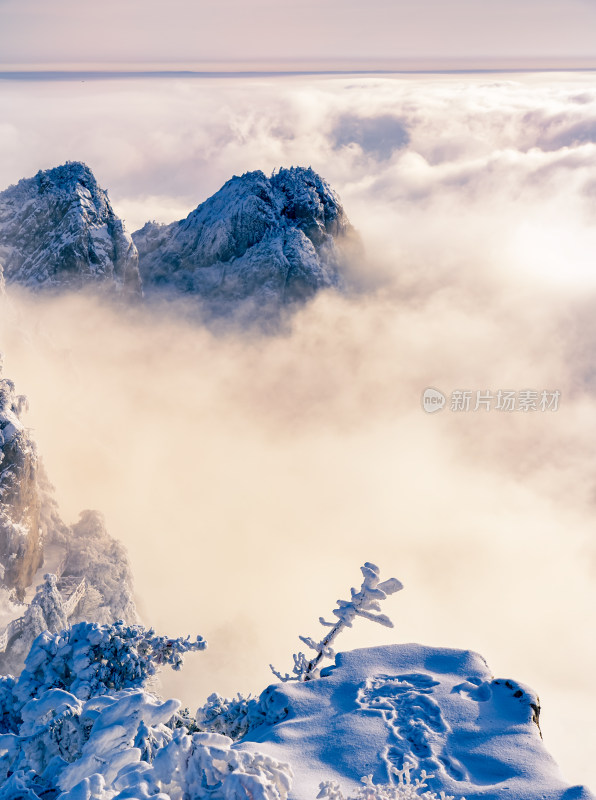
{"points": [[435, 710]]}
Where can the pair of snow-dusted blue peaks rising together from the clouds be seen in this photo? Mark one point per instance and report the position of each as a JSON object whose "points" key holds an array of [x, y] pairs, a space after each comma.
{"points": [[258, 245]]}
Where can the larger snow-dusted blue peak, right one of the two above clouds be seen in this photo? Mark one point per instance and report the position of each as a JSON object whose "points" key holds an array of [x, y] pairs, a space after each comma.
{"points": [[270, 241]]}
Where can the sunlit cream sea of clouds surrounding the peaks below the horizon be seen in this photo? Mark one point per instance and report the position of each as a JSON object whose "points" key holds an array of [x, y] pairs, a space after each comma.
{"points": [[250, 476]]}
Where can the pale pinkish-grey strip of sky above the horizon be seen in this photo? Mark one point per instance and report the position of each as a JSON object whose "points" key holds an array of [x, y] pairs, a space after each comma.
{"points": [[194, 31]]}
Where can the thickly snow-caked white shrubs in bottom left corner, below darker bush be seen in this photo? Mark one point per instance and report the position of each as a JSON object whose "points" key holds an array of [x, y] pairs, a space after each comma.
{"points": [[118, 747]]}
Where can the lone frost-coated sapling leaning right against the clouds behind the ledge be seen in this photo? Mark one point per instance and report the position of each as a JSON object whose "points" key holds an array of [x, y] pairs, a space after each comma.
{"points": [[364, 603]]}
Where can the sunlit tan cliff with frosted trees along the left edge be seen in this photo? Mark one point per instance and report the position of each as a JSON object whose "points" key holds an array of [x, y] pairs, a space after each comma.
{"points": [[92, 578]]}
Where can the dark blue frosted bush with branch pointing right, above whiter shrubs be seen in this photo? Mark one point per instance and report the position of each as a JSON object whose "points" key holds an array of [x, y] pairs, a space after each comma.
{"points": [[90, 659]]}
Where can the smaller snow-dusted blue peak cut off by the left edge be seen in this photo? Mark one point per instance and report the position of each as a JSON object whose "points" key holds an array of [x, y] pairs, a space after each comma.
{"points": [[58, 230]]}
